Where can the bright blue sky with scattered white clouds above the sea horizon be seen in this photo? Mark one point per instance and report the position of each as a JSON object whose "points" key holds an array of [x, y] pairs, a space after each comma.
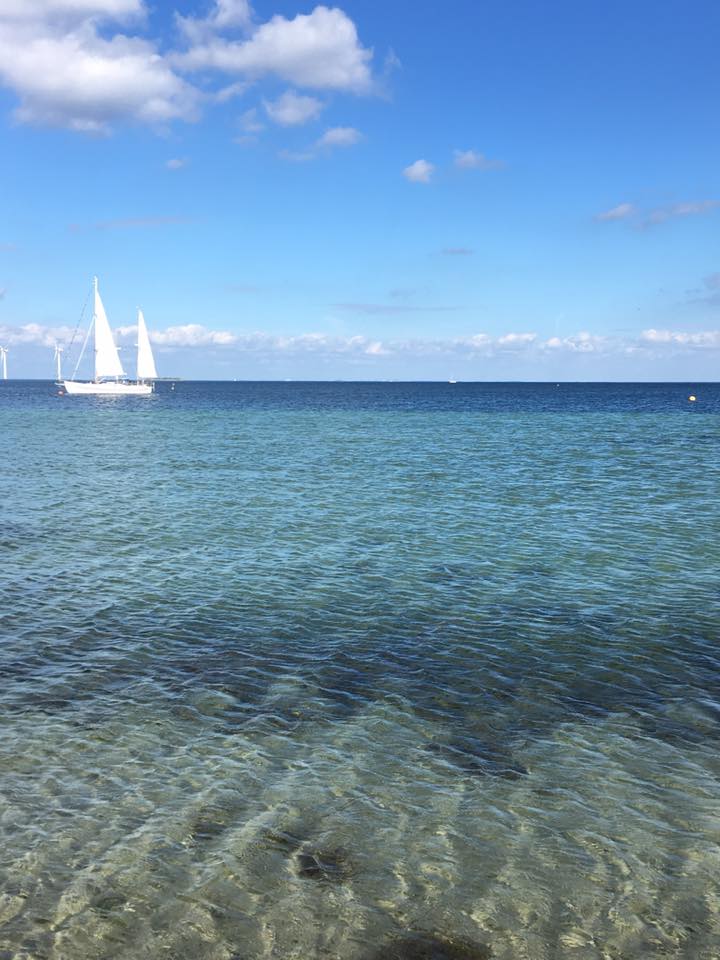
{"points": [[473, 190]]}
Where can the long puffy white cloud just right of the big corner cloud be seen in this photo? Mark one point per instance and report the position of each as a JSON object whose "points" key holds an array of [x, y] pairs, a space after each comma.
{"points": [[320, 50]]}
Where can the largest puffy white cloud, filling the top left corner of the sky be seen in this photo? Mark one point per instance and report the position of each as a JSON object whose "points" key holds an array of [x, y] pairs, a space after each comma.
{"points": [[66, 73]]}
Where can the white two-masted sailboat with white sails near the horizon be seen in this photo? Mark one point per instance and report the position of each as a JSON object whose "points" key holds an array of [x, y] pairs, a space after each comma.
{"points": [[110, 378]]}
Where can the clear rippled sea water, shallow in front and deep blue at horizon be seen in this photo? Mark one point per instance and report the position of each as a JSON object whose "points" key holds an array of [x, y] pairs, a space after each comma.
{"points": [[360, 671]]}
